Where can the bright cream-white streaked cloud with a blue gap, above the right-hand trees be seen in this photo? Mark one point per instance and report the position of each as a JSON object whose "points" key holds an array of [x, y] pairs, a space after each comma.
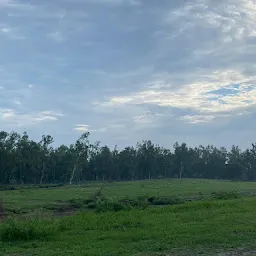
{"points": [[197, 95]]}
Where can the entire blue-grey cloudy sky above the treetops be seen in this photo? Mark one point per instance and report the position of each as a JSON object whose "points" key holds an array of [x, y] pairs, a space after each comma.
{"points": [[130, 70]]}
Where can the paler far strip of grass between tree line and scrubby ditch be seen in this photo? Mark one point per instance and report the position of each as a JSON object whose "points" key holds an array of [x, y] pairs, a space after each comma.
{"points": [[34, 199]]}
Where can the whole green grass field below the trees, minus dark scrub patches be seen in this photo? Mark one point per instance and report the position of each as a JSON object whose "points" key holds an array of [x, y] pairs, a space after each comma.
{"points": [[217, 225]]}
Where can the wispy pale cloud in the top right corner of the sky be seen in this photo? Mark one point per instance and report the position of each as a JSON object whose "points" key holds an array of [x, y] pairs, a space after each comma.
{"points": [[234, 18]]}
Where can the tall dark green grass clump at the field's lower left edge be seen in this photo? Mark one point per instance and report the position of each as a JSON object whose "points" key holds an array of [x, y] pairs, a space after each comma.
{"points": [[14, 230]]}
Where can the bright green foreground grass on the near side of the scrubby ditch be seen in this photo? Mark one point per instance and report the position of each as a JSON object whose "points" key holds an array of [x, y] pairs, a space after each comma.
{"points": [[195, 226]]}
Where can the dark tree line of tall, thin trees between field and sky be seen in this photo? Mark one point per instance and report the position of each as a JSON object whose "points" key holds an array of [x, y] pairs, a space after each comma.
{"points": [[25, 161]]}
